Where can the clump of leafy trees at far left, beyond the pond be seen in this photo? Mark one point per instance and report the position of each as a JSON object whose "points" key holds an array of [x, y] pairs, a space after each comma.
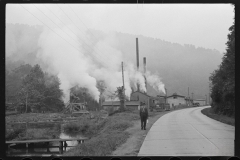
{"points": [[30, 89]]}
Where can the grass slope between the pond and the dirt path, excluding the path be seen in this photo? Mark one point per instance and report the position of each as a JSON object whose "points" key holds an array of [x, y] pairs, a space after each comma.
{"points": [[105, 135]]}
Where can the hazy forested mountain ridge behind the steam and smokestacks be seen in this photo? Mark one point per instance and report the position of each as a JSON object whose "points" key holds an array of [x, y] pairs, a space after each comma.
{"points": [[179, 66]]}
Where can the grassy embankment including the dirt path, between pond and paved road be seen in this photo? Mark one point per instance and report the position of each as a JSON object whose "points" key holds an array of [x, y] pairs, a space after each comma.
{"points": [[109, 135]]}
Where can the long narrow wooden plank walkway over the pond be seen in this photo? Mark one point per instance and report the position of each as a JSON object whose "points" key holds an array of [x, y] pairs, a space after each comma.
{"points": [[45, 140]]}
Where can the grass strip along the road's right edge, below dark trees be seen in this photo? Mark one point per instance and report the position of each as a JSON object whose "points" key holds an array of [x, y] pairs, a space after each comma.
{"points": [[222, 118]]}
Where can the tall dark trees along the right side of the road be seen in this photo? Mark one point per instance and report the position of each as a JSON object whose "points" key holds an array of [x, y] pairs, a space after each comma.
{"points": [[223, 80]]}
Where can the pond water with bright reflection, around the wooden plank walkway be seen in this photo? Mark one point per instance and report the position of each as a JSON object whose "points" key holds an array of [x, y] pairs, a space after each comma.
{"points": [[41, 149]]}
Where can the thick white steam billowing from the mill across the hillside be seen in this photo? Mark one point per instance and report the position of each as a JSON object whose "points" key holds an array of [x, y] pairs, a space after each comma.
{"points": [[77, 59]]}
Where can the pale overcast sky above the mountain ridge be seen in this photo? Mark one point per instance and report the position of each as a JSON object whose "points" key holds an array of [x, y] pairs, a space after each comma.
{"points": [[202, 25]]}
